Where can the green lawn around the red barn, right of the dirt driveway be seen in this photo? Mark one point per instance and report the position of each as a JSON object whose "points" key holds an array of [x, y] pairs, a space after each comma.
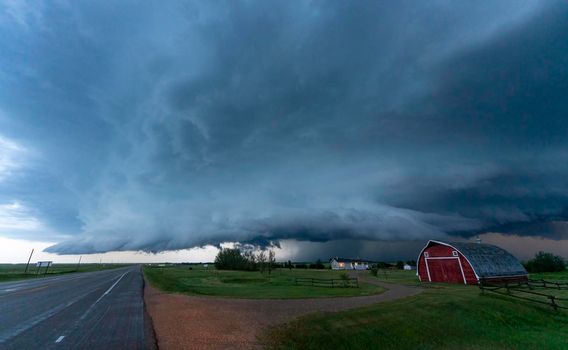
{"points": [[442, 317]]}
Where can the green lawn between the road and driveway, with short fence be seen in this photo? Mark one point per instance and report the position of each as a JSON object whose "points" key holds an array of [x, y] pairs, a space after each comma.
{"points": [[240, 284]]}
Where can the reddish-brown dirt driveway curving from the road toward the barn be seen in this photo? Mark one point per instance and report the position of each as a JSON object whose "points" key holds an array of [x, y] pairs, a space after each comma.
{"points": [[192, 322]]}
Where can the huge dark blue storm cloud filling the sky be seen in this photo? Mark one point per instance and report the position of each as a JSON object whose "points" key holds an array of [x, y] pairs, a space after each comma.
{"points": [[165, 126]]}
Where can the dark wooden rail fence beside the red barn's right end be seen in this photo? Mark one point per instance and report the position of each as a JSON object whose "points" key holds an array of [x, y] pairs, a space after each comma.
{"points": [[532, 290]]}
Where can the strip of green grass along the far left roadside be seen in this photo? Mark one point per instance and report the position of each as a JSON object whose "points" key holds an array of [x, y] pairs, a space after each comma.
{"points": [[12, 272]]}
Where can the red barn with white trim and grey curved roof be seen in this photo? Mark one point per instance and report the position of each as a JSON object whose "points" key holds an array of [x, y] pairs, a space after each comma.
{"points": [[468, 263]]}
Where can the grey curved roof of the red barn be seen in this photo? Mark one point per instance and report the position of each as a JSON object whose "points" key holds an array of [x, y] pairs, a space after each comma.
{"points": [[488, 260]]}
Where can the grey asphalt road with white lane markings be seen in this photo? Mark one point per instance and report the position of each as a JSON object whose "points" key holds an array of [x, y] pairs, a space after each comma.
{"points": [[94, 310]]}
